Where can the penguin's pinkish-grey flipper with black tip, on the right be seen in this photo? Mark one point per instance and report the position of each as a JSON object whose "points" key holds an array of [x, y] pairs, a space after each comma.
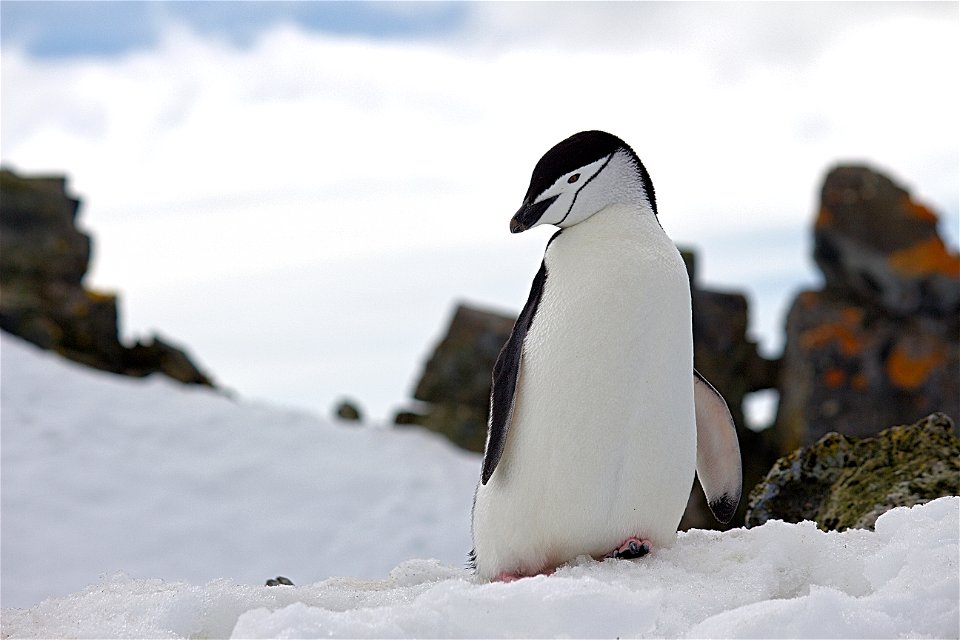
{"points": [[718, 450]]}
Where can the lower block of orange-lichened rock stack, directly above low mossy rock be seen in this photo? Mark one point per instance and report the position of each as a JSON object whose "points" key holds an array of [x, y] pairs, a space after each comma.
{"points": [[848, 368]]}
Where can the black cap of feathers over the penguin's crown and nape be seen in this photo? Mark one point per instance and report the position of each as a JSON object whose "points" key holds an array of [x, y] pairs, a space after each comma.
{"points": [[578, 150]]}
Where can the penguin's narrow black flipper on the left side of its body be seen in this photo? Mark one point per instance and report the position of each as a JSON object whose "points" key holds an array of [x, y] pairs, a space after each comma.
{"points": [[506, 372]]}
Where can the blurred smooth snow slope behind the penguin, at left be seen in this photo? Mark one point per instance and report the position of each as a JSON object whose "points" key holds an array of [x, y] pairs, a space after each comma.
{"points": [[102, 473]]}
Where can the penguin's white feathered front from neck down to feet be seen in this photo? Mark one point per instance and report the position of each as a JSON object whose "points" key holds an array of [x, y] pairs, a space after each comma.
{"points": [[602, 445]]}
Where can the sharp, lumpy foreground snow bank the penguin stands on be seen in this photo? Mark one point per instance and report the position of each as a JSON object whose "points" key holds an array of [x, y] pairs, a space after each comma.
{"points": [[778, 580]]}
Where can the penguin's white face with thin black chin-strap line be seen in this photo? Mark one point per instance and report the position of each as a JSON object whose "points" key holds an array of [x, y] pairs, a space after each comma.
{"points": [[579, 194]]}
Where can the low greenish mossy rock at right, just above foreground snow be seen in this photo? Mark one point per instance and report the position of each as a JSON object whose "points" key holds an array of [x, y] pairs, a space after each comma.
{"points": [[842, 482]]}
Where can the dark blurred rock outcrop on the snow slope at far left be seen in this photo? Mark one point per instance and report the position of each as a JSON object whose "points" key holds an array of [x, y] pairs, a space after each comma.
{"points": [[43, 261]]}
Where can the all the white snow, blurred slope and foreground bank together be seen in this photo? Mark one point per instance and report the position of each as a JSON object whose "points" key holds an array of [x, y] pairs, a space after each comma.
{"points": [[179, 487]]}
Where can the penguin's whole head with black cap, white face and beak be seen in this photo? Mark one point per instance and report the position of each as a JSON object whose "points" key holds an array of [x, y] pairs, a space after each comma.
{"points": [[580, 176]]}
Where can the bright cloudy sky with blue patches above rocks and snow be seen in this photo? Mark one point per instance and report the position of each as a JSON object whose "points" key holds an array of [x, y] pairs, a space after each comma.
{"points": [[301, 193]]}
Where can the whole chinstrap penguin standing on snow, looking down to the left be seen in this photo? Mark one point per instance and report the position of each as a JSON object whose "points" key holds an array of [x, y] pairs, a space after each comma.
{"points": [[598, 419]]}
